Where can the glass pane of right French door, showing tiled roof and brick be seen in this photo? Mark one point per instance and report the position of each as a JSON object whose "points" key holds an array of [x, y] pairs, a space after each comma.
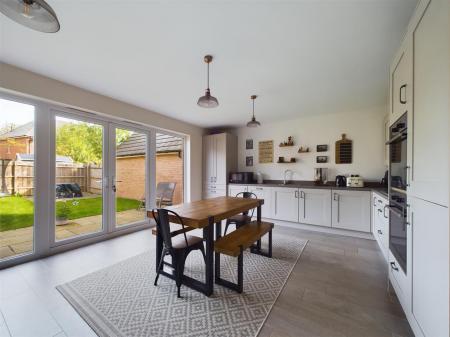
{"points": [[130, 176]]}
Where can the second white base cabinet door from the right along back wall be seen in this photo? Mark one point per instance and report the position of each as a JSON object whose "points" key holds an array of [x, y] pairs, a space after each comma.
{"points": [[315, 206]]}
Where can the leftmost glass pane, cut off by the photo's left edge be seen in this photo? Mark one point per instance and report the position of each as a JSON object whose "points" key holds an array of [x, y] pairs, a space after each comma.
{"points": [[16, 178]]}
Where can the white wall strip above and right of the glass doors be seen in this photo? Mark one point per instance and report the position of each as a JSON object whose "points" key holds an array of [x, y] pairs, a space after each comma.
{"points": [[17, 80]]}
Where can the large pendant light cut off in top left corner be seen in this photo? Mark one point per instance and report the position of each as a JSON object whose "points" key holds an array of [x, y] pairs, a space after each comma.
{"points": [[34, 14]]}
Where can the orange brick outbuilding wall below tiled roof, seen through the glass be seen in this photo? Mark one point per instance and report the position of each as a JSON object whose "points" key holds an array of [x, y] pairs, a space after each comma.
{"points": [[131, 175]]}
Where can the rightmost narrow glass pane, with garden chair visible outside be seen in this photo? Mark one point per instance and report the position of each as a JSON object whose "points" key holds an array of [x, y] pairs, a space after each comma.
{"points": [[169, 170]]}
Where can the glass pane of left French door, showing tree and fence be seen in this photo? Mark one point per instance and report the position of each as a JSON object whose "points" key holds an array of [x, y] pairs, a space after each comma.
{"points": [[79, 178]]}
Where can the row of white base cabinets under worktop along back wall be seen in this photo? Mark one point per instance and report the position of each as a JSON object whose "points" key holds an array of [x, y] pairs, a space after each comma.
{"points": [[343, 208]]}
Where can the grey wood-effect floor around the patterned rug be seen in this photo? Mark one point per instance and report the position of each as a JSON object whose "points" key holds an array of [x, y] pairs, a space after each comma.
{"points": [[337, 288]]}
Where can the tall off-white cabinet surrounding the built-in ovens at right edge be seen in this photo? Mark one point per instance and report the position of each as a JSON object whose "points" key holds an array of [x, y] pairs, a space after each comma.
{"points": [[424, 288]]}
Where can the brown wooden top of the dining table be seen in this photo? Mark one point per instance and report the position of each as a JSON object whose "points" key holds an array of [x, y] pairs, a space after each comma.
{"points": [[196, 214]]}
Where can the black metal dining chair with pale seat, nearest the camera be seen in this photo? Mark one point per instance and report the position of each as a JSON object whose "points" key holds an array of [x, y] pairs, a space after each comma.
{"points": [[178, 246]]}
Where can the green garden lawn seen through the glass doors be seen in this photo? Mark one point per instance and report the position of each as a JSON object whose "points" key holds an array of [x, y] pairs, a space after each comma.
{"points": [[17, 212]]}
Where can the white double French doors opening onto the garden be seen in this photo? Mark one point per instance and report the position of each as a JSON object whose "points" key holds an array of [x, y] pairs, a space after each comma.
{"points": [[101, 176]]}
